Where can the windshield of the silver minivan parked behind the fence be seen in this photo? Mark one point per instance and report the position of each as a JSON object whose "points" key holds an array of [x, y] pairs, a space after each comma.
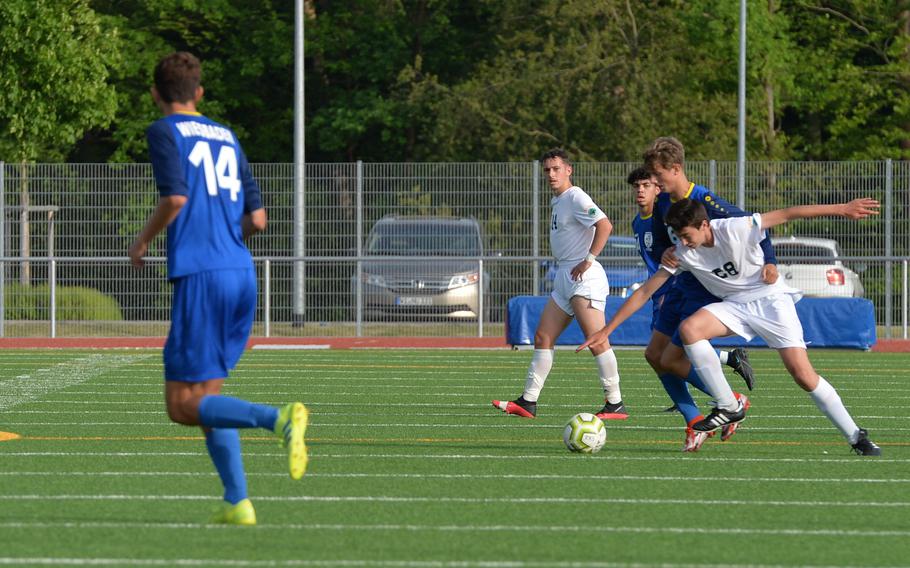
{"points": [[425, 239]]}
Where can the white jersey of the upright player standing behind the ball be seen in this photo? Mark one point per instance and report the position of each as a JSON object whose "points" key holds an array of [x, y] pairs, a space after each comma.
{"points": [[572, 224]]}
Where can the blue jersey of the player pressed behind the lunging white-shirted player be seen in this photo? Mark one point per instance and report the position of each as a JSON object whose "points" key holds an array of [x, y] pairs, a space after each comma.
{"points": [[717, 208]]}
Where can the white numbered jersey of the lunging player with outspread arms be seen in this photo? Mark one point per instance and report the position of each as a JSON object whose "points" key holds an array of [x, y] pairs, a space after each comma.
{"points": [[731, 269]]}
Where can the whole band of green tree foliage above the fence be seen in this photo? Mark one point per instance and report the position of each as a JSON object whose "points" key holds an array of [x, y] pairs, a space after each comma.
{"points": [[435, 80]]}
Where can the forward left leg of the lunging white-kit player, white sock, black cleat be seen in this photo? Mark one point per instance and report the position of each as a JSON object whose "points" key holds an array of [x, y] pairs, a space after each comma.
{"points": [[696, 331]]}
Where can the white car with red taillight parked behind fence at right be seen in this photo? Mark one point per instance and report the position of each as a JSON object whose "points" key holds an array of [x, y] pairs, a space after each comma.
{"points": [[813, 265]]}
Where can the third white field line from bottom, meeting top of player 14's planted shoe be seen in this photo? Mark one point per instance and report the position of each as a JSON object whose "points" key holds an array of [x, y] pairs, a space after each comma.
{"points": [[465, 500]]}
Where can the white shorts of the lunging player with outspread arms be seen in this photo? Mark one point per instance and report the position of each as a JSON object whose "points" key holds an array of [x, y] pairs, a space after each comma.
{"points": [[773, 318]]}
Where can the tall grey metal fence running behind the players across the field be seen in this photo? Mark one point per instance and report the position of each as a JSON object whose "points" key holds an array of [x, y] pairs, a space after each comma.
{"points": [[403, 248]]}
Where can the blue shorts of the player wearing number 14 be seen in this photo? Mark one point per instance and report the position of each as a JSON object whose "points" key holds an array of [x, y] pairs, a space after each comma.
{"points": [[211, 318]]}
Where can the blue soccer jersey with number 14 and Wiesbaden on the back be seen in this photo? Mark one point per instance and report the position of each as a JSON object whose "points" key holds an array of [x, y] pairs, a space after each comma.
{"points": [[202, 160]]}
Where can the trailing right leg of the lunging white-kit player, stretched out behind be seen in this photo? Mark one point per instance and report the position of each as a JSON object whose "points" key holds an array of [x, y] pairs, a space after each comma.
{"points": [[826, 399]]}
